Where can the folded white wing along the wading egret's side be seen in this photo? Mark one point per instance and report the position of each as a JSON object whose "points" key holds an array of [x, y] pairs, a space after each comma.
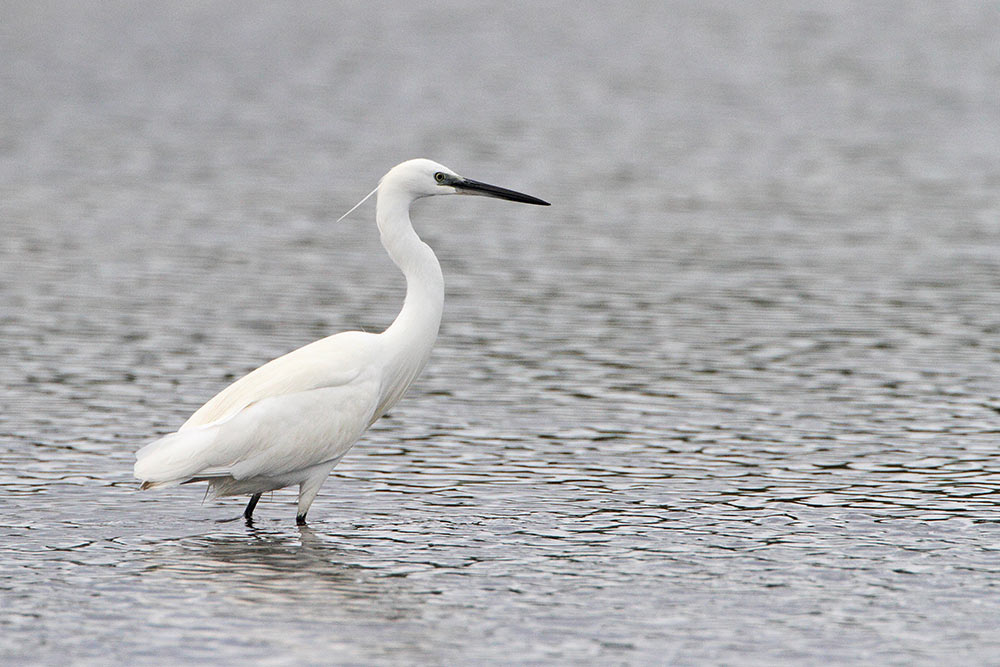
{"points": [[297, 411]]}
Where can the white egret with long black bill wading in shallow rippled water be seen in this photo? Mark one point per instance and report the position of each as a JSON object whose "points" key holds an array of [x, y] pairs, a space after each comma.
{"points": [[293, 419]]}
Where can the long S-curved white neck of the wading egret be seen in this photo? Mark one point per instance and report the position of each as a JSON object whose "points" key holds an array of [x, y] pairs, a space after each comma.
{"points": [[415, 329]]}
